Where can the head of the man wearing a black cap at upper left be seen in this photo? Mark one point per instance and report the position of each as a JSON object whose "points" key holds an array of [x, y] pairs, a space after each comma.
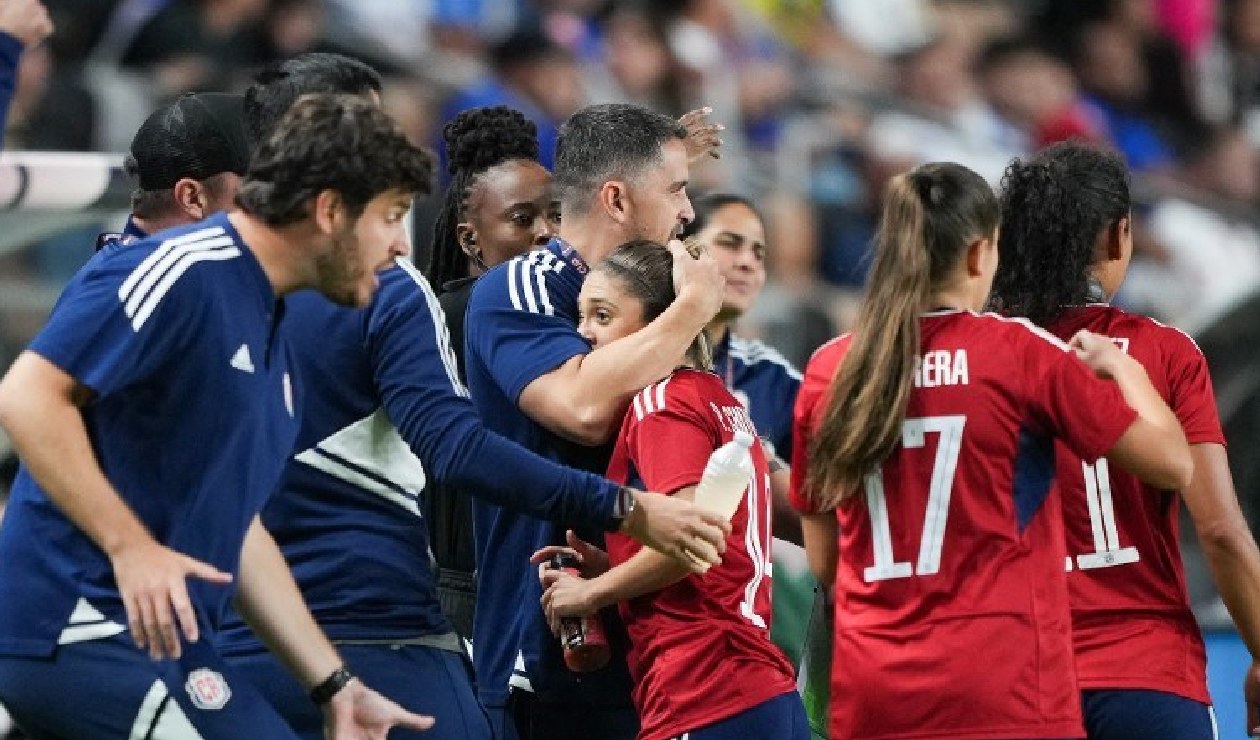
{"points": [[187, 159]]}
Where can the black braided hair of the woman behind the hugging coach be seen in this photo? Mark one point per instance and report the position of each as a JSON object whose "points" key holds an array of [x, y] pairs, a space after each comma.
{"points": [[477, 141]]}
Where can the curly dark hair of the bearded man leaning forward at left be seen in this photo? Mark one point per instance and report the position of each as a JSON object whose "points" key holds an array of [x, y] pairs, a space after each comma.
{"points": [[340, 143]]}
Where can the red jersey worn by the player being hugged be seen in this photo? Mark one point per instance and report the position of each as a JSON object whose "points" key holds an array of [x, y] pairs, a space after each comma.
{"points": [[700, 650]]}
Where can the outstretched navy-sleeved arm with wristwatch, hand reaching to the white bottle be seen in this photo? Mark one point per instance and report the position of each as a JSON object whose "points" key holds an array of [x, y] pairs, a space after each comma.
{"points": [[434, 417]]}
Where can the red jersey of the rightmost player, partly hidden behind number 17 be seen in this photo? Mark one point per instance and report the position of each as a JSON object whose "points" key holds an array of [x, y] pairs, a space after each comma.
{"points": [[1131, 615]]}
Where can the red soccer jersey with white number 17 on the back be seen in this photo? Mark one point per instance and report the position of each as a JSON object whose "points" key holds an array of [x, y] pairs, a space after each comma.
{"points": [[952, 616]]}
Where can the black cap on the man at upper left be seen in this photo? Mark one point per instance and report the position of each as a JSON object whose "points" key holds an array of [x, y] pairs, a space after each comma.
{"points": [[200, 136]]}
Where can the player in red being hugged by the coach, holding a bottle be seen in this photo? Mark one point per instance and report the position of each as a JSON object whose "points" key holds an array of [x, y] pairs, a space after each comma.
{"points": [[700, 646]]}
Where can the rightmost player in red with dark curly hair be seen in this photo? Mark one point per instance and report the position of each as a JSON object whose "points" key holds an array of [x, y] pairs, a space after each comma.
{"points": [[1065, 248]]}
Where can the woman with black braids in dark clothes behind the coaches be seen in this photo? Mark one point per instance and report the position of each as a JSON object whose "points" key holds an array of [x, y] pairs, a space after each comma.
{"points": [[500, 205]]}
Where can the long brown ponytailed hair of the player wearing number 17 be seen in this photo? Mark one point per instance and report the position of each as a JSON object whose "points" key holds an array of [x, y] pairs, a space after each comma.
{"points": [[931, 216]]}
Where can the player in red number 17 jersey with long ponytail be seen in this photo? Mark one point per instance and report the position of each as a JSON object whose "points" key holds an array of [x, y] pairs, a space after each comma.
{"points": [[924, 461]]}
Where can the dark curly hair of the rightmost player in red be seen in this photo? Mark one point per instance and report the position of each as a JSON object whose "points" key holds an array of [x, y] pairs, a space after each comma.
{"points": [[1054, 209]]}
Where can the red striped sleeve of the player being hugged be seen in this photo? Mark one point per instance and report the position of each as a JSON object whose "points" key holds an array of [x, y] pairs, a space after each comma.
{"points": [[671, 436]]}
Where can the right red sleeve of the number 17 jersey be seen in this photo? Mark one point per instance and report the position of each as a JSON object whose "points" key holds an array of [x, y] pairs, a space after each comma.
{"points": [[1067, 399]]}
